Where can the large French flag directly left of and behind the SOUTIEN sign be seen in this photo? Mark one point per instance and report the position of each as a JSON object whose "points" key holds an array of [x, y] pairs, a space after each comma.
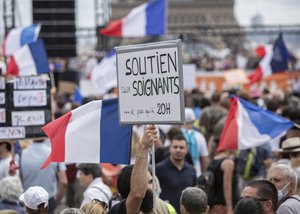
{"points": [[89, 134]]}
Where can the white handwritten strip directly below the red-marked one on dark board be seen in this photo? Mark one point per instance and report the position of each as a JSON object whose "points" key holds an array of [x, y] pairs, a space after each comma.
{"points": [[28, 118]]}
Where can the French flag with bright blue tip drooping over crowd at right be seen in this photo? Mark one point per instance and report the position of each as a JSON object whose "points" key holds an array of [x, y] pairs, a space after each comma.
{"points": [[248, 125]]}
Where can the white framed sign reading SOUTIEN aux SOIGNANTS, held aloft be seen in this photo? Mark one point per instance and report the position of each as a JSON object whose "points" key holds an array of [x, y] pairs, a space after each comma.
{"points": [[150, 83]]}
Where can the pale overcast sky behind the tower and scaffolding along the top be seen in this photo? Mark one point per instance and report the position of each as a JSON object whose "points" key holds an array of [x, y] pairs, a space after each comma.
{"points": [[273, 12]]}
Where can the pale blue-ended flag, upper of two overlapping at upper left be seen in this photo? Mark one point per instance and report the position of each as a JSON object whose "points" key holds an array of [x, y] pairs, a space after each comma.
{"points": [[17, 37]]}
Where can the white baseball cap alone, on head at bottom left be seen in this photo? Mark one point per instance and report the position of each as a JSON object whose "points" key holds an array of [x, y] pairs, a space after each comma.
{"points": [[35, 196]]}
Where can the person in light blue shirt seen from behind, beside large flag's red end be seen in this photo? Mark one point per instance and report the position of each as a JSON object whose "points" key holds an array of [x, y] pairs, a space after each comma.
{"points": [[53, 178]]}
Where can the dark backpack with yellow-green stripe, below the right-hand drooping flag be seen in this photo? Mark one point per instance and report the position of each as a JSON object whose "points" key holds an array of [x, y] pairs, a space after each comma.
{"points": [[247, 163]]}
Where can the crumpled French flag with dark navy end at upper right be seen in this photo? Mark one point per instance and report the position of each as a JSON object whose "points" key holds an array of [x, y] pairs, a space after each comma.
{"points": [[274, 59]]}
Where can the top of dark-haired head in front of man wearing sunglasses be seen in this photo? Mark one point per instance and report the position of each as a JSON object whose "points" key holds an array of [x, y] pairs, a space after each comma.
{"points": [[248, 206]]}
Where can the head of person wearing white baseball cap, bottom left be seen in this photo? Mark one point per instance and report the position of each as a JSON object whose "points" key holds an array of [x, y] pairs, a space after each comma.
{"points": [[35, 200]]}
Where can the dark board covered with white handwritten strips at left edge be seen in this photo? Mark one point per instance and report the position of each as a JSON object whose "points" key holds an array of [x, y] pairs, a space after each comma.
{"points": [[24, 106]]}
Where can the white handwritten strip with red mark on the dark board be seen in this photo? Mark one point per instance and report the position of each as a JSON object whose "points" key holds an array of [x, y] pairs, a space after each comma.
{"points": [[30, 98]]}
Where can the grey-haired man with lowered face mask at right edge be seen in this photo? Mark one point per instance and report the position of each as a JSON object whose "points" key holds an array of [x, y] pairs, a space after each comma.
{"points": [[285, 179]]}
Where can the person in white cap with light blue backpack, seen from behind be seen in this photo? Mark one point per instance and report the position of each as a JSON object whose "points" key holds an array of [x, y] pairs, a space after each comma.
{"points": [[197, 145]]}
